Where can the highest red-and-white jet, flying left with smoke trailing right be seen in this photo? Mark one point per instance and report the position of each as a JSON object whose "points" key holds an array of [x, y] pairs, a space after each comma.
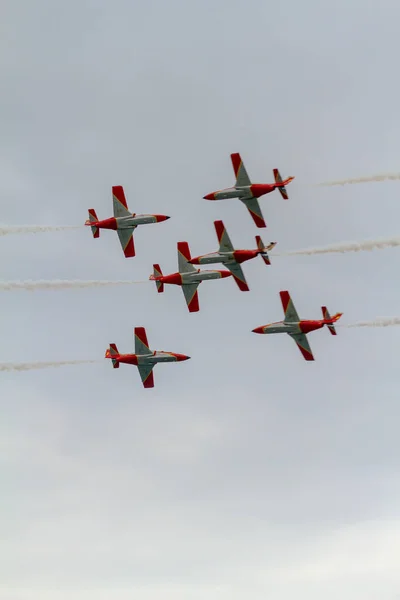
{"points": [[249, 192]]}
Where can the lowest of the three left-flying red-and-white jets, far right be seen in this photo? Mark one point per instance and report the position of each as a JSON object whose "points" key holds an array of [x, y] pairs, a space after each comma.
{"points": [[297, 328]]}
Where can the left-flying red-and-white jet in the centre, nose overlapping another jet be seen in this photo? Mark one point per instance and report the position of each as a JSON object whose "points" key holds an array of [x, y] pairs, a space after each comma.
{"points": [[232, 258]]}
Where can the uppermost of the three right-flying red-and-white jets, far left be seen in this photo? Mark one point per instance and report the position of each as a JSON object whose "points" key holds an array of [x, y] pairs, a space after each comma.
{"points": [[123, 222]]}
